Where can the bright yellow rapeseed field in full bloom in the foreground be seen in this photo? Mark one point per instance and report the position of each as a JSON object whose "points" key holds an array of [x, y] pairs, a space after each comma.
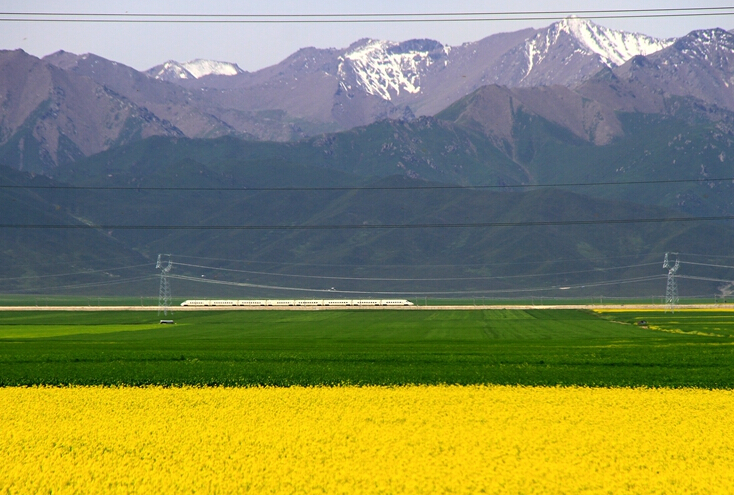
{"points": [[416, 439]]}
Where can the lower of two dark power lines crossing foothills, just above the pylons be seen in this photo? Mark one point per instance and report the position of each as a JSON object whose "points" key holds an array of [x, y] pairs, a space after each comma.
{"points": [[373, 226]]}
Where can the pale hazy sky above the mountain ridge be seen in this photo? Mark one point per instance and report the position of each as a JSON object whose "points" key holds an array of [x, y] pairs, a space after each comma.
{"points": [[256, 45]]}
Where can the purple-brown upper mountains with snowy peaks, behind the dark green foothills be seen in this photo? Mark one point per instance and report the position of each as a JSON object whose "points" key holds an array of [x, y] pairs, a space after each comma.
{"points": [[55, 104]]}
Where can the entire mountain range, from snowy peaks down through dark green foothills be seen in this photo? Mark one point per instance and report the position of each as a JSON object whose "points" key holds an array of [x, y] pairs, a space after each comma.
{"points": [[635, 127]]}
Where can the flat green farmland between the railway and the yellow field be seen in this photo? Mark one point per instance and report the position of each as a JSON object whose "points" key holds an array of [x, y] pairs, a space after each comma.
{"points": [[383, 347]]}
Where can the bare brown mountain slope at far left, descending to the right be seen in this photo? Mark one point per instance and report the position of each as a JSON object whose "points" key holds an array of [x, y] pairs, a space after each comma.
{"points": [[49, 116]]}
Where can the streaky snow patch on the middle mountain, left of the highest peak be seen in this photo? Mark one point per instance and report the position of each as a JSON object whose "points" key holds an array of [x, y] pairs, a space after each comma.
{"points": [[384, 68]]}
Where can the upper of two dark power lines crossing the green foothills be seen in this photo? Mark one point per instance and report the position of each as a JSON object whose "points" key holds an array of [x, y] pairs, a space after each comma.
{"points": [[364, 188]]}
